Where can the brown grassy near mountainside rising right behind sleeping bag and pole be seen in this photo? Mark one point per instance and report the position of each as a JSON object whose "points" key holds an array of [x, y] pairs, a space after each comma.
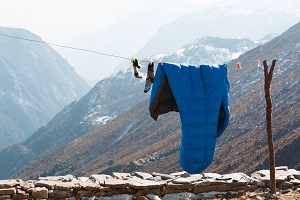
{"points": [[135, 142]]}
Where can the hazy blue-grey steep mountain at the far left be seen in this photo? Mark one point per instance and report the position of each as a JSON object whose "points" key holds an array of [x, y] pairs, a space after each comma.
{"points": [[33, 78]]}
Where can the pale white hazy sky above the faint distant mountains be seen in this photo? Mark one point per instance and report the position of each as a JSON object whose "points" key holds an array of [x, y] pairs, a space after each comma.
{"points": [[60, 21]]}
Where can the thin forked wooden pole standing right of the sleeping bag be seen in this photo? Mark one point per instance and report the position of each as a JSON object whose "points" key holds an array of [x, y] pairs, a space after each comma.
{"points": [[268, 80]]}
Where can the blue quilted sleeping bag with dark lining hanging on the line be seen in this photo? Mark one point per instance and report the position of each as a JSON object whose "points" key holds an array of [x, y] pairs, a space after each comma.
{"points": [[200, 94]]}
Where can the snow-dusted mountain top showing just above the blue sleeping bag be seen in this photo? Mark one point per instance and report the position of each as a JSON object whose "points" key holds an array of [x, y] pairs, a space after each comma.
{"points": [[209, 50]]}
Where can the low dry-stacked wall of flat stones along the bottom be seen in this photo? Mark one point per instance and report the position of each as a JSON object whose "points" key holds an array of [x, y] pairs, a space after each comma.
{"points": [[140, 185]]}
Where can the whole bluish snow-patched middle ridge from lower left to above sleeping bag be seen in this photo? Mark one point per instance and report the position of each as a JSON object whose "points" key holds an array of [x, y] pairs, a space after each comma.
{"points": [[105, 101]]}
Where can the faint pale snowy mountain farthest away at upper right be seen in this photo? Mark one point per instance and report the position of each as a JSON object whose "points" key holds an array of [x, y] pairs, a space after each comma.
{"points": [[251, 19]]}
